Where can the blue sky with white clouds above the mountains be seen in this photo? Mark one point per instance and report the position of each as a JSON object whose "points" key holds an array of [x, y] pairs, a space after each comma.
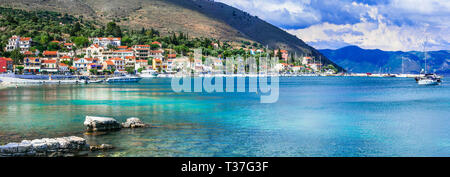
{"points": [[390, 25]]}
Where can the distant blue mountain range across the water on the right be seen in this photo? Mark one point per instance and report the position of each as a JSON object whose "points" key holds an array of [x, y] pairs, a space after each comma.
{"points": [[358, 60]]}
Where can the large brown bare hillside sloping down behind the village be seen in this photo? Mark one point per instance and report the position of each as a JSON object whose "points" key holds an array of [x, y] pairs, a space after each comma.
{"points": [[198, 18]]}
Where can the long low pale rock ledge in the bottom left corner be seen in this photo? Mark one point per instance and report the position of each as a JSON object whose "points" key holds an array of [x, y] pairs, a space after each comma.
{"points": [[46, 147]]}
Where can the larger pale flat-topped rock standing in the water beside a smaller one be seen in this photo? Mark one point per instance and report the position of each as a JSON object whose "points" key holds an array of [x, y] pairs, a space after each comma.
{"points": [[101, 124]]}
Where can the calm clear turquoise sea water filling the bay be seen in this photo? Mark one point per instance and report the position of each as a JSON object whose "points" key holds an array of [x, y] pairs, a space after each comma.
{"points": [[315, 116]]}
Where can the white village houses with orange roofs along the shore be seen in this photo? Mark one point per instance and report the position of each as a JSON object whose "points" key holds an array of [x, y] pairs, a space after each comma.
{"points": [[107, 55]]}
